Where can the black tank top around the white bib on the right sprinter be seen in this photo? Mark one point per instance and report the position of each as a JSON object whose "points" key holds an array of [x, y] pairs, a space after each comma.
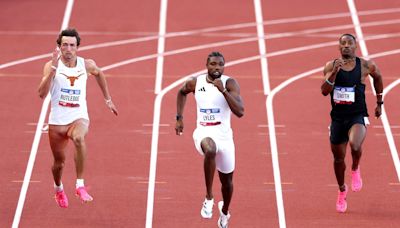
{"points": [[348, 80]]}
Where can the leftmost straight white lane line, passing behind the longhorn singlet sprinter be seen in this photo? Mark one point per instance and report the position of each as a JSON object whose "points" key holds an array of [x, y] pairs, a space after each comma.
{"points": [[36, 140]]}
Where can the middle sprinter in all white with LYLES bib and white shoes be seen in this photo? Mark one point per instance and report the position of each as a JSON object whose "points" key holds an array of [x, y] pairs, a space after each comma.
{"points": [[216, 95]]}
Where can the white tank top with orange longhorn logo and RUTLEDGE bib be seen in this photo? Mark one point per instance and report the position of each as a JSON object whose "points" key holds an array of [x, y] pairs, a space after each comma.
{"points": [[68, 94]]}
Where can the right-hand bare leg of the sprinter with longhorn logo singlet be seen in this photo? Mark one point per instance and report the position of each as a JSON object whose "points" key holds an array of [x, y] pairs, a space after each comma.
{"points": [[77, 133]]}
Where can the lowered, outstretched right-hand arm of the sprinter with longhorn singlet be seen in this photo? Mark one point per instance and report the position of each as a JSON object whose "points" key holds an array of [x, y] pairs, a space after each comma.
{"points": [[94, 70]]}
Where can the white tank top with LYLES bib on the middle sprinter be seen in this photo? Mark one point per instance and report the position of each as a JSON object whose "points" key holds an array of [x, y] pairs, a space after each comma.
{"points": [[213, 111]]}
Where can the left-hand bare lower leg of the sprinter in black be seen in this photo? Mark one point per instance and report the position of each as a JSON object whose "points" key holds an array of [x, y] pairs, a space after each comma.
{"points": [[339, 154]]}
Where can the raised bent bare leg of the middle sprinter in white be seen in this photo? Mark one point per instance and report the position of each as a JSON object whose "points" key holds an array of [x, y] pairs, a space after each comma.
{"points": [[209, 149]]}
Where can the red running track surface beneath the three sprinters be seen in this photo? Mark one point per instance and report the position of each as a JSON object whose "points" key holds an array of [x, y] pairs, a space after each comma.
{"points": [[119, 148]]}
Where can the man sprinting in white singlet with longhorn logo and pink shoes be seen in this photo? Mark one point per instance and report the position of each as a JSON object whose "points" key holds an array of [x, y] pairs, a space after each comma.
{"points": [[65, 78]]}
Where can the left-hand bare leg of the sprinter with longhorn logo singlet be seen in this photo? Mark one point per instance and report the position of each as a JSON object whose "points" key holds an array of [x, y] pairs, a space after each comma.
{"points": [[58, 142]]}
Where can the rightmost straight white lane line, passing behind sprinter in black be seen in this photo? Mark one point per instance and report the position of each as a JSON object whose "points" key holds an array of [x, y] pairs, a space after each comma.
{"points": [[384, 119]]}
